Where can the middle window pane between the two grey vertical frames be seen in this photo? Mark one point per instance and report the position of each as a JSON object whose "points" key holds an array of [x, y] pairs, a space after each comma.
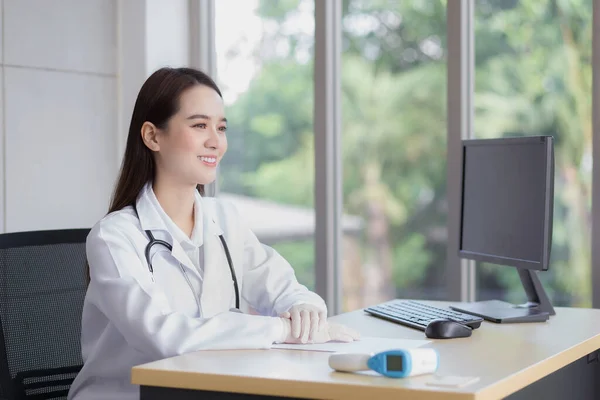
{"points": [[394, 150]]}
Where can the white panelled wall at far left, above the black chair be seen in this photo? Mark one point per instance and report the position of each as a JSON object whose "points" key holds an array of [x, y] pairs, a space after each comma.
{"points": [[58, 112]]}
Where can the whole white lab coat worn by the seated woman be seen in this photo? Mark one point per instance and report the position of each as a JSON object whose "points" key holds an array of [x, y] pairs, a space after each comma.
{"points": [[130, 319]]}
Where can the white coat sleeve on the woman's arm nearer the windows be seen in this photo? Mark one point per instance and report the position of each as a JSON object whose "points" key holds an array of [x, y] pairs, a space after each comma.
{"points": [[270, 285]]}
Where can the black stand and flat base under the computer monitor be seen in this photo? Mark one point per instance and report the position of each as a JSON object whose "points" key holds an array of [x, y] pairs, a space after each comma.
{"points": [[537, 309]]}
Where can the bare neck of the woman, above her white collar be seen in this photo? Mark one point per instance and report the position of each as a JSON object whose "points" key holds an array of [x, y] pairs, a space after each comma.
{"points": [[178, 202]]}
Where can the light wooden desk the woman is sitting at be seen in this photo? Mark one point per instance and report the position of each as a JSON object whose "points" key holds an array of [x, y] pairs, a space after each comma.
{"points": [[552, 358]]}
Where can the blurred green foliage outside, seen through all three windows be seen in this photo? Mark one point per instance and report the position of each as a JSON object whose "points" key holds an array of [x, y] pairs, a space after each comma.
{"points": [[533, 76]]}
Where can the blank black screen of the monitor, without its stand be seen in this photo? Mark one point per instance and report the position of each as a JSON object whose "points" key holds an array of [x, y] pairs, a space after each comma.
{"points": [[504, 209]]}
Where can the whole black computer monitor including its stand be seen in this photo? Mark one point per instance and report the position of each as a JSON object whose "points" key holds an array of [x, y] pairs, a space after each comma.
{"points": [[506, 218]]}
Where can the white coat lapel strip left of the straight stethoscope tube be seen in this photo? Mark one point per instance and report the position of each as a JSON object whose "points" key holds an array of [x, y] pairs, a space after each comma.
{"points": [[217, 289]]}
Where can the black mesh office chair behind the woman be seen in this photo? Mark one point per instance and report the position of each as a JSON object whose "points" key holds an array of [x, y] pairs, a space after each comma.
{"points": [[42, 287]]}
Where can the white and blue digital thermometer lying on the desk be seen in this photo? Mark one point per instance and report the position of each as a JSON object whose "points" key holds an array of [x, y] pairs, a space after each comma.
{"points": [[392, 363]]}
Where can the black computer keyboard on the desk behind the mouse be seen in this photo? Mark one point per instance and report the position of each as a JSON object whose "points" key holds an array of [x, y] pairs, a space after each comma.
{"points": [[417, 315]]}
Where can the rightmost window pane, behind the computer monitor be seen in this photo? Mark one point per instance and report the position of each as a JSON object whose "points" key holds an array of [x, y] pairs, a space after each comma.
{"points": [[533, 76]]}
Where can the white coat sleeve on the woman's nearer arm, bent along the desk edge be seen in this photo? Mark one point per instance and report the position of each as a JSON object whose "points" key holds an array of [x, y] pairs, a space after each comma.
{"points": [[121, 288]]}
